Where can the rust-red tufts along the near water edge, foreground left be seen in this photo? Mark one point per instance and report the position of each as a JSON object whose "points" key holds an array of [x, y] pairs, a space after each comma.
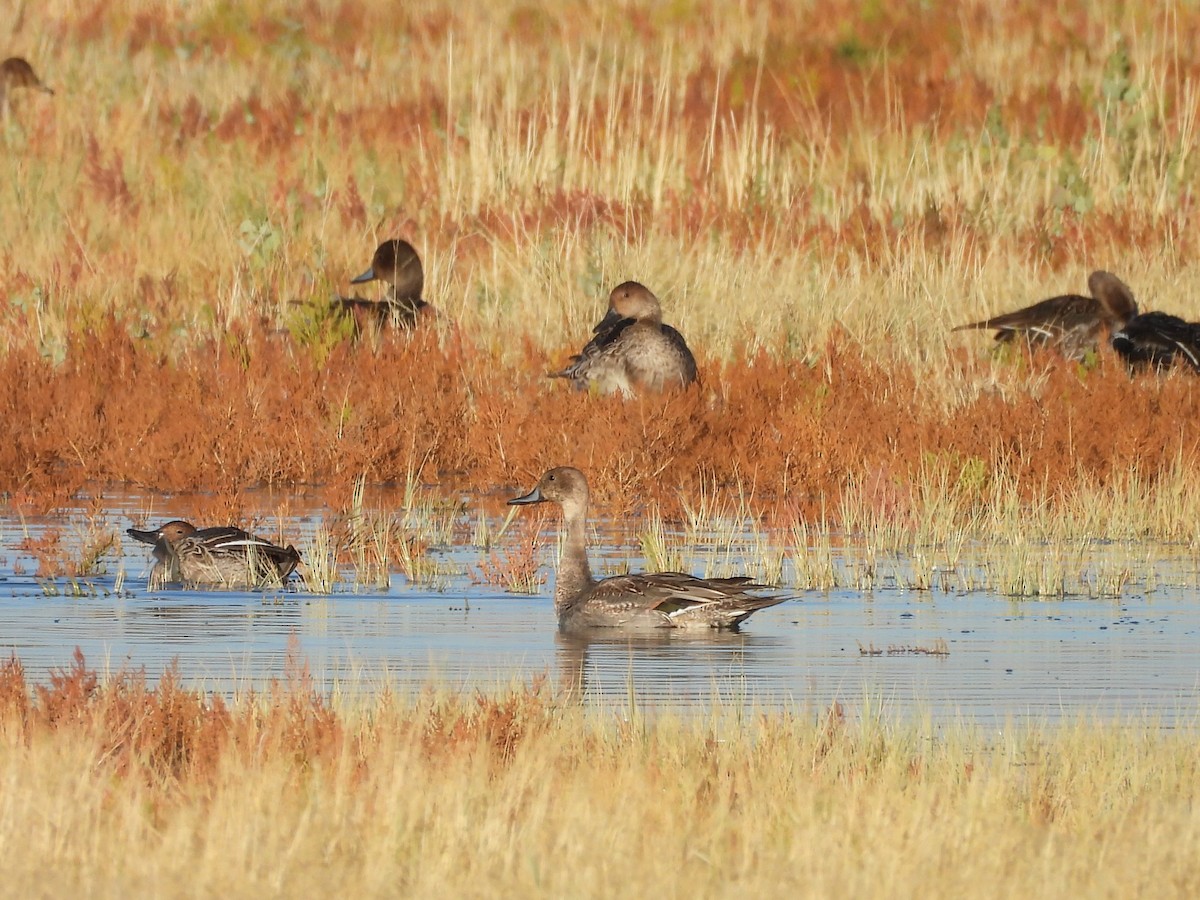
{"points": [[169, 735]]}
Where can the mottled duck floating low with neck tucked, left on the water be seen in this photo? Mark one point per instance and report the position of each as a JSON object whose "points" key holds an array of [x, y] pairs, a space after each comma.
{"points": [[226, 556]]}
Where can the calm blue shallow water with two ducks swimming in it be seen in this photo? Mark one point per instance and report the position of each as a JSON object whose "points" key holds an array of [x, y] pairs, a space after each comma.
{"points": [[1121, 658]]}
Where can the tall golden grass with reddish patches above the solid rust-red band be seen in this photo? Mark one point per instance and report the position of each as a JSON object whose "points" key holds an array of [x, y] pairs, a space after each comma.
{"points": [[885, 167]]}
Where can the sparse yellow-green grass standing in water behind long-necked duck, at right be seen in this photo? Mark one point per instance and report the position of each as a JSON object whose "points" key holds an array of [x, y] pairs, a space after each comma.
{"points": [[988, 533]]}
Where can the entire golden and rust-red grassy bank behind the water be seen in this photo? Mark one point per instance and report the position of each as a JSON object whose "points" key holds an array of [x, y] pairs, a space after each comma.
{"points": [[815, 202]]}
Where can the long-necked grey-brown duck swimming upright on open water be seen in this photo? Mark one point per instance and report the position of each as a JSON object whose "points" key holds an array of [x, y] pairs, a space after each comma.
{"points": [[637, 603]]}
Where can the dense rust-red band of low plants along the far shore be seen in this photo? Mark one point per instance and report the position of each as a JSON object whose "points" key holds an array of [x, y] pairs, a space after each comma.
{"points": [[259, 411]]}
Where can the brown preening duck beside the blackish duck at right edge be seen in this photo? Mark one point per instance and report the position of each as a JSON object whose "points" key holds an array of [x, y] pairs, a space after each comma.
{"points": [[1071, 323]]}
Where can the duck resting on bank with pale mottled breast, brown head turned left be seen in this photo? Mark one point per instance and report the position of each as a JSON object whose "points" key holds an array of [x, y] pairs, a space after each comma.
{"points": [[632, 351]]}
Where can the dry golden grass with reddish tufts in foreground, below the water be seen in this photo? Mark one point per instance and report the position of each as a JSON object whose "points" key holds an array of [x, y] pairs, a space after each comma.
{"points": [[112, 789]]}
